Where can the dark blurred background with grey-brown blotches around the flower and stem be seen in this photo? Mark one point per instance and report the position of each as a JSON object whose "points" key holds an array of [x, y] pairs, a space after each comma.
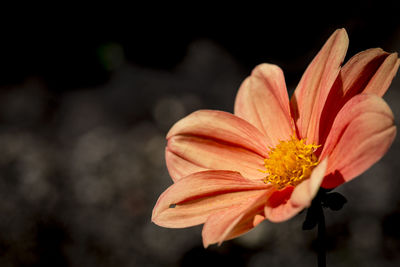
{"points": [[86, 101]]}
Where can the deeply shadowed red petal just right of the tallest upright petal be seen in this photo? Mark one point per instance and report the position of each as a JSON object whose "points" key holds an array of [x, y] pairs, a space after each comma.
{"points": [[352, 80]]}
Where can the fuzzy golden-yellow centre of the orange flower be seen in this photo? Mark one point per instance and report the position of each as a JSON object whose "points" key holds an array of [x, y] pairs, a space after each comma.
{"points": [[290, 162]]}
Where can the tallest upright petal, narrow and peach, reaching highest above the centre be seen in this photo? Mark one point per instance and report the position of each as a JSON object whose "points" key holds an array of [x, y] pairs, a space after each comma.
{"points": [[310, 95]]}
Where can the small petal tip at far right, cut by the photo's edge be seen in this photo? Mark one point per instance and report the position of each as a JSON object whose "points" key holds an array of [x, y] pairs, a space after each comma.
{"points": [[384, 76]]}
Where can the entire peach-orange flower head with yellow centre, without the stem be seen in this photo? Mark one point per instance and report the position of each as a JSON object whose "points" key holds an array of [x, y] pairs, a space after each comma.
{"points": [[268, 160]]}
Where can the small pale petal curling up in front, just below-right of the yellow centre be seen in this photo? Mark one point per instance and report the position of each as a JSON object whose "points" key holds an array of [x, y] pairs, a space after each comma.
{"points": [[305, 192]]}
